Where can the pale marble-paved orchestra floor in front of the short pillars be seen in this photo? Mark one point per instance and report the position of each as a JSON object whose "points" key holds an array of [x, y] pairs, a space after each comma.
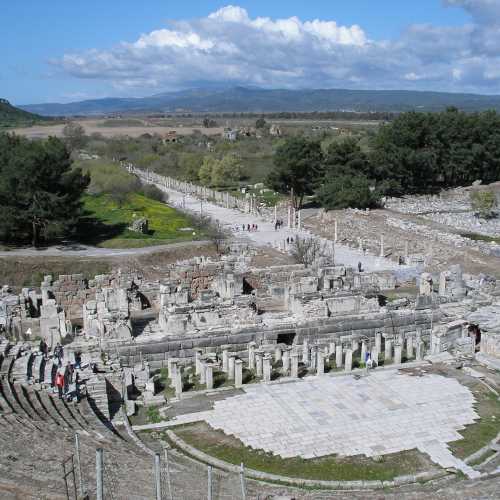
{"points": [[385, 412]]}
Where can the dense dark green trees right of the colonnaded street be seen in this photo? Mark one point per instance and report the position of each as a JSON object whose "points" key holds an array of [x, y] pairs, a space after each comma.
{"points": [[417, 153]]}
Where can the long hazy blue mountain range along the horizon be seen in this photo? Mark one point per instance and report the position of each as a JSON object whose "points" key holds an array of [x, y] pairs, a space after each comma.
{"points": [[254, 100]]}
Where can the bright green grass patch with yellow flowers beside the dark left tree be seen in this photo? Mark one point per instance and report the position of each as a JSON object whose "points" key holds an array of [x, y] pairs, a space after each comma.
{"points": [[106, 223]]}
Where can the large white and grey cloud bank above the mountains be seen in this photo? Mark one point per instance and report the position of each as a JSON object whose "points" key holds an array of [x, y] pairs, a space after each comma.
{"points": [[229, 46]]}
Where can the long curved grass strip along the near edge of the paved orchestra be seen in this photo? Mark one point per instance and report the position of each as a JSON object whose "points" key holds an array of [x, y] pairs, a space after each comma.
{"points": [[331, 468]]}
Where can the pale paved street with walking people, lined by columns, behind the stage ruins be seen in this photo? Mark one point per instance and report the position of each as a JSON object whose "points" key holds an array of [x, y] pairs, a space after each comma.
{"points": [[234, 220]]}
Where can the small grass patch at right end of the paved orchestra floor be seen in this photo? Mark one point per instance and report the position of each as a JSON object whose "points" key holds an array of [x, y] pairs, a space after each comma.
{"points": [[477, 435]]}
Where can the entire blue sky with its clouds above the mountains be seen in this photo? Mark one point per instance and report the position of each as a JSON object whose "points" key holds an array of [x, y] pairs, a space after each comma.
{"points": [[65, 50]]}
